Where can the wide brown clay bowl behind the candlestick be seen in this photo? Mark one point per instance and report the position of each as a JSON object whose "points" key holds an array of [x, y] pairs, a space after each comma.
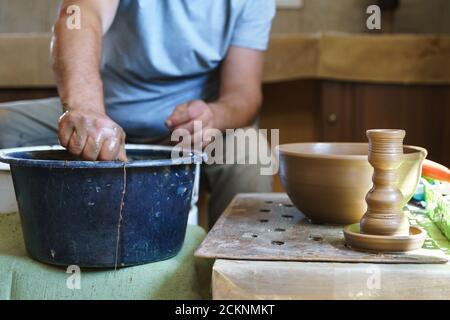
{"points": [[328, 182]]}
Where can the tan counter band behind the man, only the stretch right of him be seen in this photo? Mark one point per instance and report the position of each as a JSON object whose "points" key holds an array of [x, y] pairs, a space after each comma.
{"points": [[400, 58]]}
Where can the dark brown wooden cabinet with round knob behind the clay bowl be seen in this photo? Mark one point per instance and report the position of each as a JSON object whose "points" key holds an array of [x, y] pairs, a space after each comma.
{"points": [[349, 109]]}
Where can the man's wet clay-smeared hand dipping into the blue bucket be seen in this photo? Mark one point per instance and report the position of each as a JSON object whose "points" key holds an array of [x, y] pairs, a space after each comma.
{"points": [[91, 135]]}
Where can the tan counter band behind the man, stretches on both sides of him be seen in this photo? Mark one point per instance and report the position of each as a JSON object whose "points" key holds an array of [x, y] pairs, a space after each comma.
{"points": [[399, 58]]}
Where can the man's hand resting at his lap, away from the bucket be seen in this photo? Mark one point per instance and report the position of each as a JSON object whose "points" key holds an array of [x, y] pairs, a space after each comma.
{"points": [[186, 114]]}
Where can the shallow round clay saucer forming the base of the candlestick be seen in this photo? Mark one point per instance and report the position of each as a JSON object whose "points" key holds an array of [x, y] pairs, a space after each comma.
{"points": [[374, 243]]}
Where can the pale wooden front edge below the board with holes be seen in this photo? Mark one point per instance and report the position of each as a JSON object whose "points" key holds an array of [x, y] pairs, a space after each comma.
{"points": [[233, 279]]}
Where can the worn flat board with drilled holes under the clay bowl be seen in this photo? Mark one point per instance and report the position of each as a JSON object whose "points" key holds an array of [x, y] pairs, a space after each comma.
{"points": [[269, 227]]}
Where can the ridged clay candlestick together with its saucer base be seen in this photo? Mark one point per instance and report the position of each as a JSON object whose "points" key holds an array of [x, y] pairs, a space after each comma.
{"points": [[384, 227]]}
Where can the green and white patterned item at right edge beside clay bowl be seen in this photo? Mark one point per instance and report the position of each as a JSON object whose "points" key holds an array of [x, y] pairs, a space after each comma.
{"points": [[438, 206]]}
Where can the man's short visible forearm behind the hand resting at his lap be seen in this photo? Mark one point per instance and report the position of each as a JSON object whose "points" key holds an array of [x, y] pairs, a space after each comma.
{"points": [[236, 109]]}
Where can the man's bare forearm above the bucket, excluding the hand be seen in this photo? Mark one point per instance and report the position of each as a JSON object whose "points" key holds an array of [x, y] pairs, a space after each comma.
{"points": [[76, 59]]}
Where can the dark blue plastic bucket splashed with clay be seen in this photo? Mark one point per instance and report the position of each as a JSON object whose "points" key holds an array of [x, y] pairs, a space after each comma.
{"points": [[102, 214]]}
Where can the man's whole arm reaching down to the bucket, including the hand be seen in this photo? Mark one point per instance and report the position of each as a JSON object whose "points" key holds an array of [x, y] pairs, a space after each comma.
{"points": [[84, 129]]}
